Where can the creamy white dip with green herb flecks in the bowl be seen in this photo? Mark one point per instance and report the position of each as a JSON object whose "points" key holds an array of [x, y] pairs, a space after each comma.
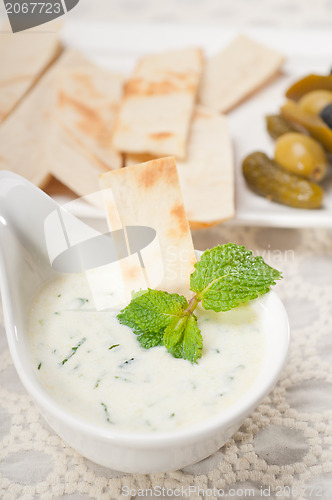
{"points": [[95, 367]]}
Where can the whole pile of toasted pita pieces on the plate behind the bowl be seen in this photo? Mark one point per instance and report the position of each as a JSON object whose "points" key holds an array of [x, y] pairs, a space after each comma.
{"points": [[64, 117]]}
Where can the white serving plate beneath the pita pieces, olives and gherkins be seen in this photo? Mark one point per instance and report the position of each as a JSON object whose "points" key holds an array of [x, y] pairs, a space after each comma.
{"points": [[118, 47]]}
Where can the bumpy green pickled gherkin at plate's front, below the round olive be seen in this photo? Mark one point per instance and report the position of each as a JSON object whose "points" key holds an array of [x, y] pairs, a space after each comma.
{"points": [[266, 178]]}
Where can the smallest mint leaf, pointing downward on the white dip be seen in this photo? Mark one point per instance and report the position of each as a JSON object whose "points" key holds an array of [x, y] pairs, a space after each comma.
{"points": [[183, 338]]}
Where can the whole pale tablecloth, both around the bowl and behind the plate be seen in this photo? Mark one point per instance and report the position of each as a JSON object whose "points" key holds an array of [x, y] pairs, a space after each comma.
{"points": [[287, 441]]}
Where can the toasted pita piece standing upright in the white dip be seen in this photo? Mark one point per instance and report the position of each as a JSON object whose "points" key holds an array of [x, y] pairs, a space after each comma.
{"points": [[149, 194]]}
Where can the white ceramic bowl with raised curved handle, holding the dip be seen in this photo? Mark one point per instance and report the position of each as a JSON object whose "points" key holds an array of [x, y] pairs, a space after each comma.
{"points": [[24, 267]]}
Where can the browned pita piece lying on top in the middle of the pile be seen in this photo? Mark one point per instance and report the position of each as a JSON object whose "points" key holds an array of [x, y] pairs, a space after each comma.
{"points": [[158, 103]]}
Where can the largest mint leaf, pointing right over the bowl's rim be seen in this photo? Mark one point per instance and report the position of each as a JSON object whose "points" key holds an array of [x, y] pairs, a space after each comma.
{"points": [[229, 275]]}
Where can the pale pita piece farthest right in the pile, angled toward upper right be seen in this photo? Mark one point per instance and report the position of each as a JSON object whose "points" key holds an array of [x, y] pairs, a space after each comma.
{"points": [[236, 72]]}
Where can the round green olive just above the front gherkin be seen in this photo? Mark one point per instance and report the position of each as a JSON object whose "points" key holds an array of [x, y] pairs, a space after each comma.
{"points": [[301, 155]]}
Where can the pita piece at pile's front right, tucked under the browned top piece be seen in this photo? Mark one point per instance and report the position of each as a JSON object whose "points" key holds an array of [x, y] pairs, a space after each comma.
{"points": [[207, 176]]}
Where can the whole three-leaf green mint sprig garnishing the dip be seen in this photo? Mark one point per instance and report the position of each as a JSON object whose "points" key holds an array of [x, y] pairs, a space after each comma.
{"points": [[225, 276]]}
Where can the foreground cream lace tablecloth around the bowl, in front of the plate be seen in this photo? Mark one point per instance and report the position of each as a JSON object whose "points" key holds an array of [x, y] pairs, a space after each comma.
{"points": [[283, 450]]}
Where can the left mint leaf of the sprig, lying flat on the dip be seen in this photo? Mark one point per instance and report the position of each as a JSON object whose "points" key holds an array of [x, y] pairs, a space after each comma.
{"points": [[150, 313]]}
